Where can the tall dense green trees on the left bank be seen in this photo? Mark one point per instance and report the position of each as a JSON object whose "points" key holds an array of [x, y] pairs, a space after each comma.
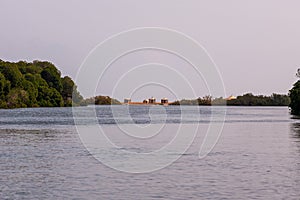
{"points": [[36, 84]]}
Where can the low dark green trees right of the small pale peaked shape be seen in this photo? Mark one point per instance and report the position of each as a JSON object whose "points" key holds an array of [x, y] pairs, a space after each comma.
{"points": [[260, 100]]}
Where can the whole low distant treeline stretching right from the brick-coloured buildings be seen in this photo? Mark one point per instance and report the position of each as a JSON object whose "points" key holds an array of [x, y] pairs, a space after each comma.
{"points": [[244, 100]]}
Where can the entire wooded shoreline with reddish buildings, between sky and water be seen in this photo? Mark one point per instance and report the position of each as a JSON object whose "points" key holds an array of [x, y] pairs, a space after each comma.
{"points": [[40, 84]]}
